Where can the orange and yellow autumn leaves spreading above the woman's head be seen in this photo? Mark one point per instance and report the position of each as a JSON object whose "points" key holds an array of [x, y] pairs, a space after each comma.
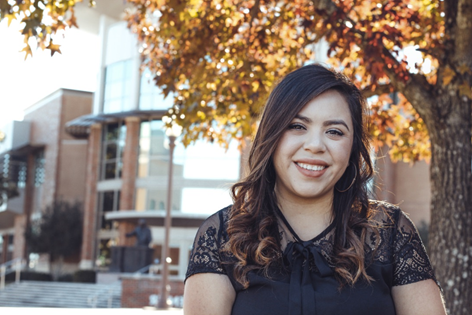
{"points": [[220, 59]]}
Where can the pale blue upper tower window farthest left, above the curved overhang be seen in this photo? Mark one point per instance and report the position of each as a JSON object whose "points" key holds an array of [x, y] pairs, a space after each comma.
{"points": [[117, 90]]}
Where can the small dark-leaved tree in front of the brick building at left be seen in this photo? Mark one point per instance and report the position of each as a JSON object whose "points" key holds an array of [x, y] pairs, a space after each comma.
{"points": [[58, 233]]}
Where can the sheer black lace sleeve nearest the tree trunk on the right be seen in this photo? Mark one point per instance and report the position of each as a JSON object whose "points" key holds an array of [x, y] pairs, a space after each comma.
{"points": [[410, 259]]}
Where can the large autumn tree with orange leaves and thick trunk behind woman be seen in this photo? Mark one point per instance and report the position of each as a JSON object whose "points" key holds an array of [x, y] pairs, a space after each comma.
{"points": [[220, 58]]}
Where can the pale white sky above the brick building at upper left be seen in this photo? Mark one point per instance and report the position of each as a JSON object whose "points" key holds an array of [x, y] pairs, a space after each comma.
{"points": [[25, 82]]}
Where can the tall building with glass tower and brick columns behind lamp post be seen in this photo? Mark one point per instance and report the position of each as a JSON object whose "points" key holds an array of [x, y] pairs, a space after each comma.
{"points": [[128, 161]]}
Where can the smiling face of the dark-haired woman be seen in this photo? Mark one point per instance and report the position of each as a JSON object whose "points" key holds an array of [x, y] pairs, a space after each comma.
{"points": [[314, 151]]}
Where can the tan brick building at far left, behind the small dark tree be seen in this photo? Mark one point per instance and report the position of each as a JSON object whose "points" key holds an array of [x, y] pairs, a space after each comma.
{"points": [[45, 162]]}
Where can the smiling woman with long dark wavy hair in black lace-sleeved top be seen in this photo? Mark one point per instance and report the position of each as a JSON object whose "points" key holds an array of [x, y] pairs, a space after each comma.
{"points": [[302, 236]]}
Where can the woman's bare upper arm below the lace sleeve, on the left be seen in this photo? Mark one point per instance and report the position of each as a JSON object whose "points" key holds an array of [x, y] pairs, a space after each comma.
{"points": [[208, 294]]}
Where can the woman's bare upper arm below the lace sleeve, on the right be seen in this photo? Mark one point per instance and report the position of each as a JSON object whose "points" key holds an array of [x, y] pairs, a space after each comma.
{"points": [[419, 298]]}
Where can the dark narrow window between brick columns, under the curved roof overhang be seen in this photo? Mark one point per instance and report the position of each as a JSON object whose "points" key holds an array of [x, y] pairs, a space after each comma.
{"points": [[112, 152]]}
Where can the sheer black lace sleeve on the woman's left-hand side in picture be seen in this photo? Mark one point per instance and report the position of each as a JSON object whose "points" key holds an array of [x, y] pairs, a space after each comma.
{"points": [[205, 255]]}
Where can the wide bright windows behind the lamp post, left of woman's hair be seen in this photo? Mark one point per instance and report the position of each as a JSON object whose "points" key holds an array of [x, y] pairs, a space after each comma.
{"points": [[203, 171]]}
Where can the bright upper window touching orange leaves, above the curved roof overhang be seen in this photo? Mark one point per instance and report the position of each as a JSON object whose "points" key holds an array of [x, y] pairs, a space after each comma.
{"points": [[150, 96]]}
